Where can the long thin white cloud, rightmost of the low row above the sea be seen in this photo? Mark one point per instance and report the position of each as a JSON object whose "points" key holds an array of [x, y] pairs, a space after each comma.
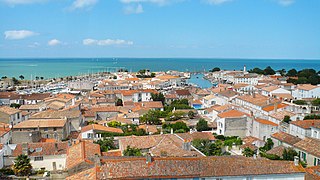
{"points": [[106, 42]]}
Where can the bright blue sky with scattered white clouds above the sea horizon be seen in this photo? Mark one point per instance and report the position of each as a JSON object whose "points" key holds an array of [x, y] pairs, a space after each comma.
{"points": [[160, 28]]}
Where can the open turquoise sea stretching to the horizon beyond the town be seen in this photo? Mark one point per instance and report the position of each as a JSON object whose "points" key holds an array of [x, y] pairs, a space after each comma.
{"points": [[59, 67]]}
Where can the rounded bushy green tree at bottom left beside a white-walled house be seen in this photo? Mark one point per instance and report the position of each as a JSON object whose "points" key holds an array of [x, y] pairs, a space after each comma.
{"points": [[22, 166]]}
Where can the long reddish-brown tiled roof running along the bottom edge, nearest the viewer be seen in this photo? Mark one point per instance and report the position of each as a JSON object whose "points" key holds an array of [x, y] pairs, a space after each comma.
{"points": [[173, 167]]}
